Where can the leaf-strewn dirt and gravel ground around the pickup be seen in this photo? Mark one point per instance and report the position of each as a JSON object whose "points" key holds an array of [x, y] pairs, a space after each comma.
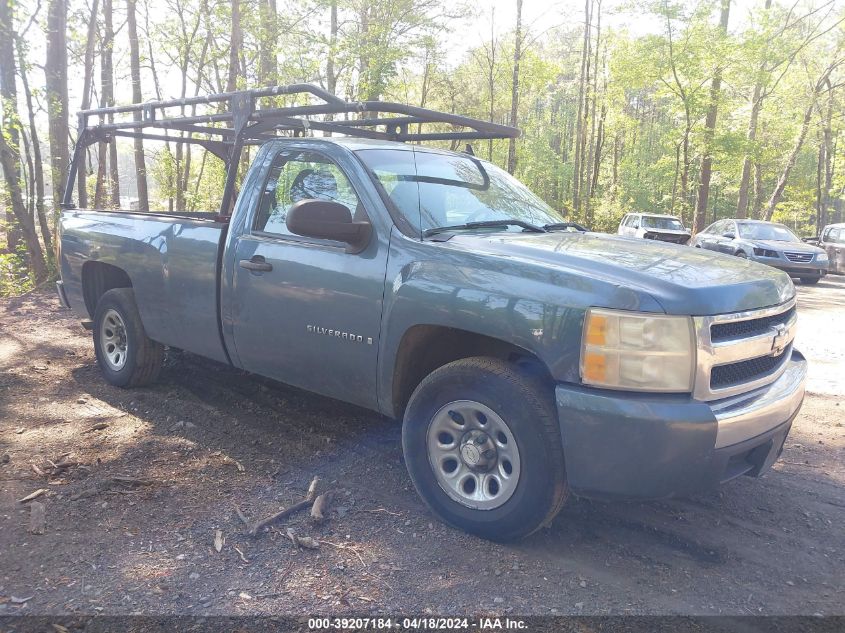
{"points": [[208, 439]]}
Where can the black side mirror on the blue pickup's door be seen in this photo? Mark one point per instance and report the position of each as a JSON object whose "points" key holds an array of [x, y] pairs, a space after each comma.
{"points": [[327, 220]]}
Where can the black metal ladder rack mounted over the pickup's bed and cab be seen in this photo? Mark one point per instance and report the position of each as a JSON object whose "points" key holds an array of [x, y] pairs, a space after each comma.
{"points": [[240, 119]]}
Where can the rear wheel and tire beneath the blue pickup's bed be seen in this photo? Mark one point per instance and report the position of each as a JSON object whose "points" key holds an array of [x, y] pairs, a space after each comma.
{"points": [[127, 357]]}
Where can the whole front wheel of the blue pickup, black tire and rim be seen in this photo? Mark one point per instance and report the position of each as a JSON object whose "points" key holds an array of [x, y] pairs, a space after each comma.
{"points": [[485, 393]]}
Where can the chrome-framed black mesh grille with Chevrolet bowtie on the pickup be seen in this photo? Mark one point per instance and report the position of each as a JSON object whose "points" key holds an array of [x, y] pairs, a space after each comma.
{"points": [[742, 351]]}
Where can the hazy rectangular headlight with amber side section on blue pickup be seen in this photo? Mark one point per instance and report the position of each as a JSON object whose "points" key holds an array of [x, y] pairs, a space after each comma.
{"points": [[637, 352]]}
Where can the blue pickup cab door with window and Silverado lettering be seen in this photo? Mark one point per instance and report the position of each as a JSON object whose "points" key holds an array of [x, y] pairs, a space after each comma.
{"points": [[306, 312]]}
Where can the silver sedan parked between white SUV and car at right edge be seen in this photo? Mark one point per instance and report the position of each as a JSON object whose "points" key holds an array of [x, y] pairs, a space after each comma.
{"points": [[767, 243]]}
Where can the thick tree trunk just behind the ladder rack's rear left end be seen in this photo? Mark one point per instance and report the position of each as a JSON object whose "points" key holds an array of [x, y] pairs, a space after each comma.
{"points": [[55, 72]]}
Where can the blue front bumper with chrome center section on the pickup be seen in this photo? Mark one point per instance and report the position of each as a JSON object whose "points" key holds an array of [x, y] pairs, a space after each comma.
{"points": [[651, 446]]}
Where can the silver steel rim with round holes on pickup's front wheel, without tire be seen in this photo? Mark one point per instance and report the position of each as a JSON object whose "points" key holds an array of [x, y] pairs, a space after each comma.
{"points": [[473, 454]]}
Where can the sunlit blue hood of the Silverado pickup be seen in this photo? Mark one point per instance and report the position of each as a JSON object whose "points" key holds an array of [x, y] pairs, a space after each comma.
{"points": [[682, 279]]}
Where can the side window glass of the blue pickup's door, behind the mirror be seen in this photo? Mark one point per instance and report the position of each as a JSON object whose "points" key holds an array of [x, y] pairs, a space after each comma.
{"points": [[299, 175]]}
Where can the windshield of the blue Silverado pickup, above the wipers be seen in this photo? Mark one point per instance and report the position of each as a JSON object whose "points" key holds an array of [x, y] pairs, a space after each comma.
{"points": [[433, 190]]}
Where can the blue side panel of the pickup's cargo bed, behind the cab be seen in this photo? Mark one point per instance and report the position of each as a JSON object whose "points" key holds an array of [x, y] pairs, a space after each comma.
{"points": [[172, 263]]}
